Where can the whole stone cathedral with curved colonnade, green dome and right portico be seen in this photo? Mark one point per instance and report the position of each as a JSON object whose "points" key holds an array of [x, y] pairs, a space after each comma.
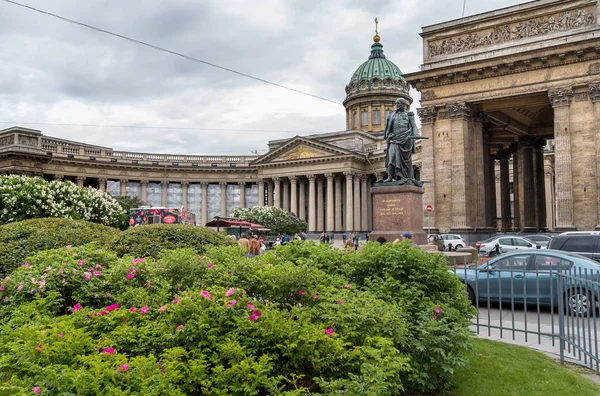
{"points": [[510, 104]]}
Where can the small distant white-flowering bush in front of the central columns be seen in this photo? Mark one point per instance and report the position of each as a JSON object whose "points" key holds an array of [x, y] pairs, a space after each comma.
{"points": [[276, 219]]}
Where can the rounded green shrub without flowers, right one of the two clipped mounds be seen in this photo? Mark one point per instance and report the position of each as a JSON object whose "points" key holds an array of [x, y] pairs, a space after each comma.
{"points": [[150, 240]]}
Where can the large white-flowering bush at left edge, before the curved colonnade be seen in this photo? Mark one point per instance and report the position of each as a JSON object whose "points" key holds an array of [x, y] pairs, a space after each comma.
{"points": [[23, 197]]}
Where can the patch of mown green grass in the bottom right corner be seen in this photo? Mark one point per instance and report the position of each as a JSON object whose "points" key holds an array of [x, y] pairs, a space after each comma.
{"points": [[497, 368]]}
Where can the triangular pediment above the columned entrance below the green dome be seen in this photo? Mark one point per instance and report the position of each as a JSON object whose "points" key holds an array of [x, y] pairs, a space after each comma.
{"points": [[299, 148]]}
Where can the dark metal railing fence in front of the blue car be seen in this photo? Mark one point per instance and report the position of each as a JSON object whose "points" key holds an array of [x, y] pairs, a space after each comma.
{"points": [[551, 307]]}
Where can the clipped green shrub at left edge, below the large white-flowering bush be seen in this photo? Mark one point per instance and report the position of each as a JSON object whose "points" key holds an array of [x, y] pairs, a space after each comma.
{"points": [[24, 238]]}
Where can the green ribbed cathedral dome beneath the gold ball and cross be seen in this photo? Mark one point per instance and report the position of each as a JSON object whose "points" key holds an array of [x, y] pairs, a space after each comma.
{"points": [[377, 75]]}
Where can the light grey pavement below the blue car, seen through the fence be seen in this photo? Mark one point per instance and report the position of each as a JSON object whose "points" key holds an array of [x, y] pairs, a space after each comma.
{"points": [[541, 332]]}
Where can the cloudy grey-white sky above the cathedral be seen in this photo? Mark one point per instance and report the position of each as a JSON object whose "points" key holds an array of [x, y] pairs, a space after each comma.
{"points": [[54, 72]]}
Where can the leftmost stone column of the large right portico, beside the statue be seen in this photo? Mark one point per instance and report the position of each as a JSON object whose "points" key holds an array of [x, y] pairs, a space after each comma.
{"points": [[428, 115]]}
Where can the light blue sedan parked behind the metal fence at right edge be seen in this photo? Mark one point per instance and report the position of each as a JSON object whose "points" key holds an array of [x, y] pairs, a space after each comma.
{"points": [[532, 277]]}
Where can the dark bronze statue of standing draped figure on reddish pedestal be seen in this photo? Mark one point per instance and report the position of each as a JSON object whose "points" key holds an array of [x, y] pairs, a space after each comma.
{"points": [[400, 133]]}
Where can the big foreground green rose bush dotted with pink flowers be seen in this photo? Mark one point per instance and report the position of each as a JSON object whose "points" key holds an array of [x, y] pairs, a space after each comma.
{"points": [[282, 323]]}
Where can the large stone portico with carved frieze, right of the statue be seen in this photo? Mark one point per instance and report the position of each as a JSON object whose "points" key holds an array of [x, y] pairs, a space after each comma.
{"points": [[509, 100]]}
